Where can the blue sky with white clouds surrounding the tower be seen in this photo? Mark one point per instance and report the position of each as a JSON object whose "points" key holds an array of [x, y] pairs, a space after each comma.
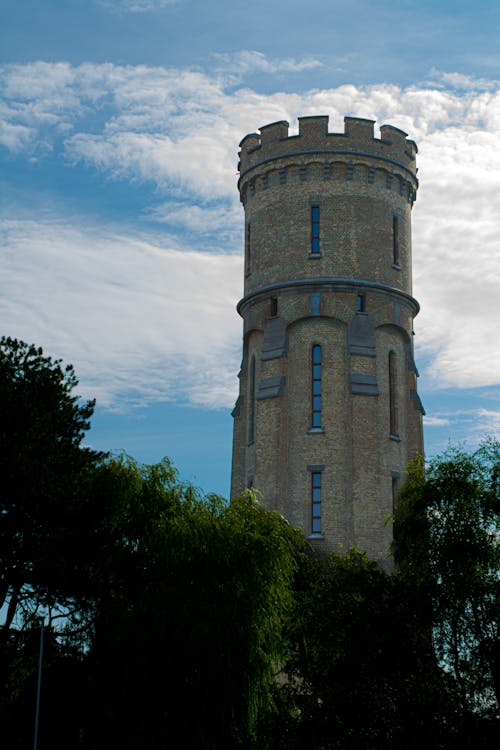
{"points": [[121, 238]]}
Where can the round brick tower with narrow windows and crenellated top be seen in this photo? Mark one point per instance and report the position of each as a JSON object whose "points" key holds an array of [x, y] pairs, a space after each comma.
{"points": [[328, 414]]}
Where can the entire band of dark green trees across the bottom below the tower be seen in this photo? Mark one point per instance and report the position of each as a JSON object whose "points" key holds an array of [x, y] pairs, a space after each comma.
{"points": [[176, 615]]}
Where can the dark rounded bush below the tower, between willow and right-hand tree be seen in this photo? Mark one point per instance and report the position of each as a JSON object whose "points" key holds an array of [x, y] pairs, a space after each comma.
{"points": [[355, 673]]}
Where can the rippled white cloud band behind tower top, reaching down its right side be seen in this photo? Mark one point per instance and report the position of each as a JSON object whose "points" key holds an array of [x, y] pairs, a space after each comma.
{"points": [[179, 130]]}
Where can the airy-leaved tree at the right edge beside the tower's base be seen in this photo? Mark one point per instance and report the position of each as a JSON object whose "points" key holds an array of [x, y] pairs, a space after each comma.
{"points": [[448, 547]]}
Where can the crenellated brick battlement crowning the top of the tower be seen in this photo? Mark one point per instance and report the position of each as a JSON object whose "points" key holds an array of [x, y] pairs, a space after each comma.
{"points": [[273, 142]]}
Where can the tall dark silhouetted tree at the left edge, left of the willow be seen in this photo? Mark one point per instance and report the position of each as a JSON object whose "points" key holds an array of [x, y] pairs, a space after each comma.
{"points": [[42, 424]]}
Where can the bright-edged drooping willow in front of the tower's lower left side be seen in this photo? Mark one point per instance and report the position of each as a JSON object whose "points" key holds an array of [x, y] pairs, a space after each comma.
{"points": [[194, 592]]}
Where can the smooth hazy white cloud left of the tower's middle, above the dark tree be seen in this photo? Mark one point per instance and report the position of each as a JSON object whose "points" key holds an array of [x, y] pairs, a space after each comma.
{"points": [[138, 320]]}
